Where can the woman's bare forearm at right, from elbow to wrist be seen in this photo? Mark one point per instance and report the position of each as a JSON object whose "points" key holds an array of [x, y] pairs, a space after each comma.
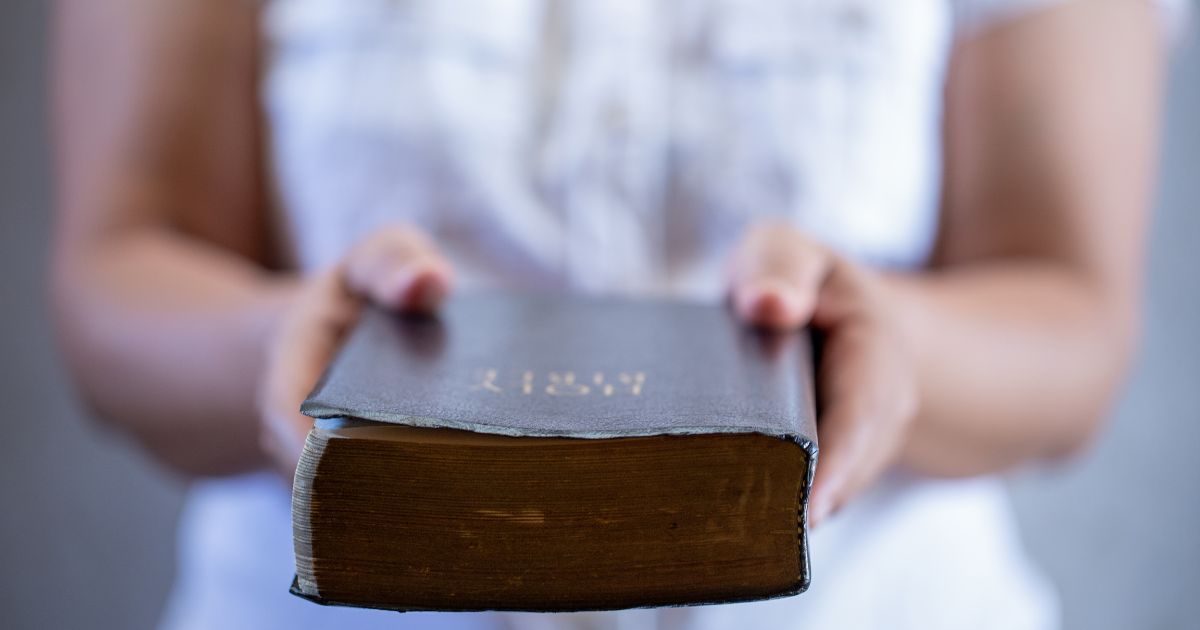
{"points": [[1017, 361]]}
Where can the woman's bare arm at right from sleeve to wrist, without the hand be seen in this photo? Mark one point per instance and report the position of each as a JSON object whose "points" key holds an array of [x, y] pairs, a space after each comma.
{"points": [[1025, 328]]}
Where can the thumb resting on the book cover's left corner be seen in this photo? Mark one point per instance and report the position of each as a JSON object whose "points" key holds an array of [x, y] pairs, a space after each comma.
{"points": [[401, 269]]}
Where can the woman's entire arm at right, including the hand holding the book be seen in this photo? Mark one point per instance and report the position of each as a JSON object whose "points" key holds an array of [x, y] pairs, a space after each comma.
{"points": [[1011, 347]]}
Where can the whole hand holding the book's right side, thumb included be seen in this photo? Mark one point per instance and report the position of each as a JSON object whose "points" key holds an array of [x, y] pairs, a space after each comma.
{"points": [[783, 280]]}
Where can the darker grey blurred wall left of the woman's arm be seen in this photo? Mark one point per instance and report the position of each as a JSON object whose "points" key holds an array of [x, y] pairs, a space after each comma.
{"points": [[87, 525]]}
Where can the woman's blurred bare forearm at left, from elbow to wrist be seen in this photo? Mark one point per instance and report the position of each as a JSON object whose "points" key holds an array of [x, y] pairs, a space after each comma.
{"points": [[166, 337]]}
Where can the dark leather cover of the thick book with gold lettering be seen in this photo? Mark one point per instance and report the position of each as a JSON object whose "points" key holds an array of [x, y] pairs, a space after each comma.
{"points": [[542, 367]]}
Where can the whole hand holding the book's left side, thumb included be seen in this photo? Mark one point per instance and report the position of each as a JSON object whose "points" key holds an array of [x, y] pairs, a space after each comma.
{"points": [[398, 268]]}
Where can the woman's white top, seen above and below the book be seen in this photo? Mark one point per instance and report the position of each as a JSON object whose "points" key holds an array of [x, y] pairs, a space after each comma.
{"points": [[621, 147]]}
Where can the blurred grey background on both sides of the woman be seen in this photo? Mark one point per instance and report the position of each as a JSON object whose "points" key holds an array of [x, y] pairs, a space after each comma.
{"points": [[87, 523]]}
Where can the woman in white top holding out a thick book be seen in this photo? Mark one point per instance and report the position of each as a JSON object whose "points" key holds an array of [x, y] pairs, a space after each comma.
{"points": [[957, 194]]}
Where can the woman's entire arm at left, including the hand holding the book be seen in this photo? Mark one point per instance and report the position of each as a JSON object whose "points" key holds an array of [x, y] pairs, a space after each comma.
{"points": [[173, 322]]}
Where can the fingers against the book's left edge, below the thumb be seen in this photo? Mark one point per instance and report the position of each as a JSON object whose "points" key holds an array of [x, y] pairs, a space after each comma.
{"points": [[303, 346]]}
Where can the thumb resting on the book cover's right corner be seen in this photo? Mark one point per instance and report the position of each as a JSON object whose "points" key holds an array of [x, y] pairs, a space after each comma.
{"points": [[776, 278]]}
